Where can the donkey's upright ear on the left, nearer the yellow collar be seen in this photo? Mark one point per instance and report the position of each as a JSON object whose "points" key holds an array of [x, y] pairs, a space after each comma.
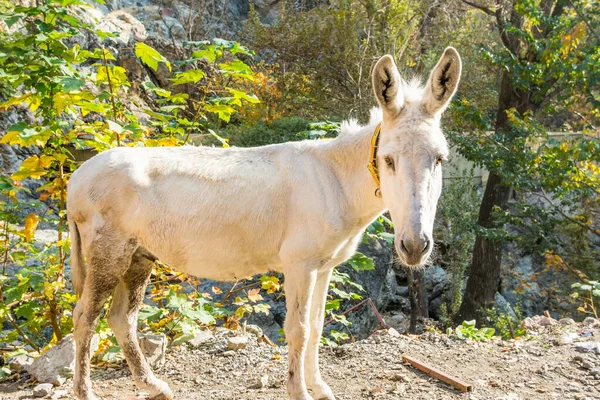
{"points": [[386, 85]]}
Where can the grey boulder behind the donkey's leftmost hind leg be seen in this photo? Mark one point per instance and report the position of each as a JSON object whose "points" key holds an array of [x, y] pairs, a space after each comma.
{"points": [[58, 363]]}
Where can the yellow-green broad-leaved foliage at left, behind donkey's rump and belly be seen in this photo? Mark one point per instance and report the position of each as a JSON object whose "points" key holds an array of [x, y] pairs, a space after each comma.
{"points": [[41, 72]]}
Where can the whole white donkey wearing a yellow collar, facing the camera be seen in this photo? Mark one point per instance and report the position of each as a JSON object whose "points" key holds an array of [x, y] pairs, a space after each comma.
{"points": [[299, 208]]}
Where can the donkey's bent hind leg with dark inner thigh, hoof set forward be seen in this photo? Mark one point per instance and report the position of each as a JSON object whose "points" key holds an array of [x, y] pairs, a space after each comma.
{"points": [[123, 317]]}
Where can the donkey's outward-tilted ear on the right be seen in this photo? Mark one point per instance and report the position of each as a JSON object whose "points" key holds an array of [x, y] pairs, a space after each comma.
{"points": [[443, 81]]}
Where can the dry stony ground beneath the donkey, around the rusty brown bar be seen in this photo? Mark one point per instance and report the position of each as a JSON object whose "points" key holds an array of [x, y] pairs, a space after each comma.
{"points": [[556, 360]]}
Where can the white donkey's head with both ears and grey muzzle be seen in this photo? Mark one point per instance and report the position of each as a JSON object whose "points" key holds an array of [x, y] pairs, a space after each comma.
{"points": [[412, 149]]}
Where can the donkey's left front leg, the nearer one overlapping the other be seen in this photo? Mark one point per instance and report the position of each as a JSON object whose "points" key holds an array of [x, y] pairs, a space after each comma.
{"points": [[299, 285]]}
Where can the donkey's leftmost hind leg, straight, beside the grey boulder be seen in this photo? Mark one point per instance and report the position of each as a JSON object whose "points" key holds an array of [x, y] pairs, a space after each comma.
{"points": [[107, 259]]}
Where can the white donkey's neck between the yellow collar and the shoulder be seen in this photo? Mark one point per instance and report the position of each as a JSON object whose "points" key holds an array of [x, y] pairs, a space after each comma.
{"points": [[348, 156]]}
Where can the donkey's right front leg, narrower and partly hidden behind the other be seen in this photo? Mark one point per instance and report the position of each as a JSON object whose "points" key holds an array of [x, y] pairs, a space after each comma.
{"points": [[320, 390]]}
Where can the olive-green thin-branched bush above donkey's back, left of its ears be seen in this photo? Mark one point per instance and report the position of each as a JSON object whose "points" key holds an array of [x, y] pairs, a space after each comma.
{"points": [[322, 58]]}
